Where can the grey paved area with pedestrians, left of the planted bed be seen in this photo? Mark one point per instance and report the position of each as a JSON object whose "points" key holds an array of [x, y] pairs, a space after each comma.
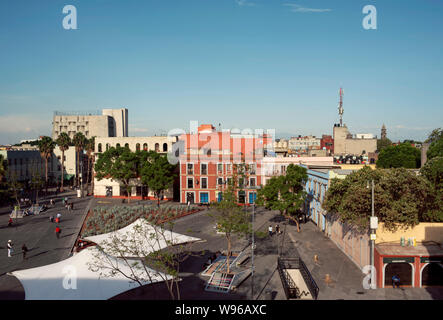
{"points": [[38, 233]]}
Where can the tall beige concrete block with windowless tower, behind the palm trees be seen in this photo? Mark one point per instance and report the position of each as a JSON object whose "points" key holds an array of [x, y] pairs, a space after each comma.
{"points": [[108, 123]]}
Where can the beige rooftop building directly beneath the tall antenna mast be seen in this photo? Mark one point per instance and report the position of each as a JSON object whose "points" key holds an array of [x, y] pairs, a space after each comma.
{"points": [[346, 144]]}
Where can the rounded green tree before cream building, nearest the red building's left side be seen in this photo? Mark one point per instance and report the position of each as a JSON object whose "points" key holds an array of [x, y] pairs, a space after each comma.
{"points": [[156, 172]]}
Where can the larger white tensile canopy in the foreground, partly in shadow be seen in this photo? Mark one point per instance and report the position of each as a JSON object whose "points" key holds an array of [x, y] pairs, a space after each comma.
{"points": [[71, 279]]}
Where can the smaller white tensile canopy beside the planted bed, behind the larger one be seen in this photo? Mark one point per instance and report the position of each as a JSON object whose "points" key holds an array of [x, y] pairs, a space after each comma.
{"points": [[148, 238]]}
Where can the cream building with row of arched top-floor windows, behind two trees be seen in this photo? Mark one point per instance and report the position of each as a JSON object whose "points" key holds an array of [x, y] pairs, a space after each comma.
{"points": [[112, 188]]}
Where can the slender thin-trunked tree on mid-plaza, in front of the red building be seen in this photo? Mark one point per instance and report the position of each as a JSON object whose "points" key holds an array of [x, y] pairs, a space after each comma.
{"points": [[229, 217]]}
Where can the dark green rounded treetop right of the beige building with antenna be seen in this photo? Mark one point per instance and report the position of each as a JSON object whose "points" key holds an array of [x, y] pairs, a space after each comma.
{"points": [[401, 156]]}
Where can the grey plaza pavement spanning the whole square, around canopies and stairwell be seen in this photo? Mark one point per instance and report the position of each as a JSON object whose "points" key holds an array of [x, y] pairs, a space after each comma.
{"points": [[346, 277]]}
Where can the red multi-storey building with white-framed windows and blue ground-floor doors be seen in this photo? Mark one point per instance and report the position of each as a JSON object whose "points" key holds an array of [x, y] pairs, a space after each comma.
{"points": [[207, 164]]}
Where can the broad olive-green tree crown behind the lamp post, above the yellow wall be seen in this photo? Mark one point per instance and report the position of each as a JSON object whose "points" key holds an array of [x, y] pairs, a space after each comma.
{"points": [[401, 198]]}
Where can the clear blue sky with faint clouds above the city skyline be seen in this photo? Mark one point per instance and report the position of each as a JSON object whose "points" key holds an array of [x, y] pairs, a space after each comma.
{"points": [[258, 64]]}
